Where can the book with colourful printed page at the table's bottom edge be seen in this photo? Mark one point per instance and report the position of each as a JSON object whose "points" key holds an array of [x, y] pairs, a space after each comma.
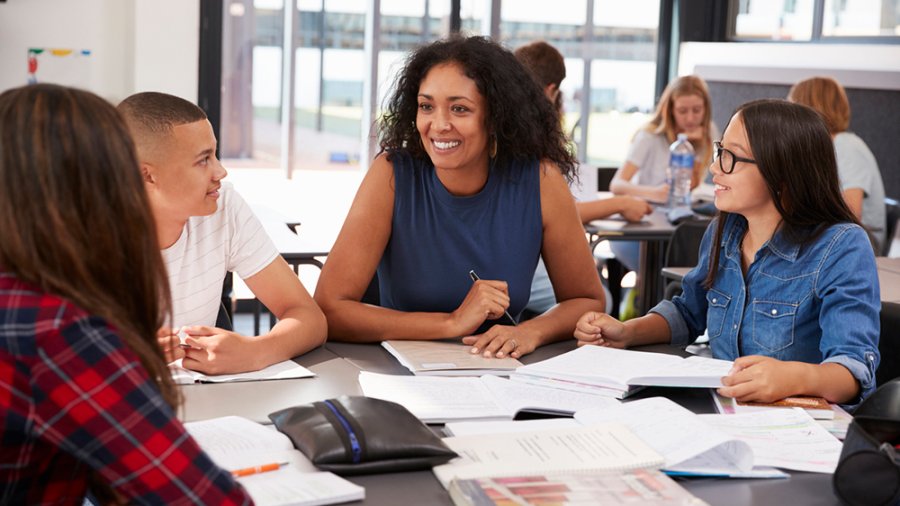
{"points": [[640, 487]]}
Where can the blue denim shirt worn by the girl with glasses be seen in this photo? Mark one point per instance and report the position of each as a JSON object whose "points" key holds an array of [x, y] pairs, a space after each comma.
{"points": [[816, 303]]}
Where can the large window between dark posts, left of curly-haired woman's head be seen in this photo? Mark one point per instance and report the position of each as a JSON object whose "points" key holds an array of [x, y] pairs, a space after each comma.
{"points": [[329, 37]]}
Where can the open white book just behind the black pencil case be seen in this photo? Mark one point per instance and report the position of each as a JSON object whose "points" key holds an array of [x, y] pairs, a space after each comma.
{"points": [[439, 399]]}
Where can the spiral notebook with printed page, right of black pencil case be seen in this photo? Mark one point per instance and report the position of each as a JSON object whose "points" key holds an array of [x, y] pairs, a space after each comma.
{"points": [[576, 450]]}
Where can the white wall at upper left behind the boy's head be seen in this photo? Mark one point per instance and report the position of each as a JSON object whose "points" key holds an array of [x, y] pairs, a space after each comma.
{"points": [[135, 45]]}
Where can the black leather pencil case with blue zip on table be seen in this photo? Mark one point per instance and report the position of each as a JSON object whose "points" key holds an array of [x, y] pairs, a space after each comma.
{"points": [[359, 435]]}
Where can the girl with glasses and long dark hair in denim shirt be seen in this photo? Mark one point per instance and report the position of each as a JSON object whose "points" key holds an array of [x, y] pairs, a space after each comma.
{"points": [[786, 284]]}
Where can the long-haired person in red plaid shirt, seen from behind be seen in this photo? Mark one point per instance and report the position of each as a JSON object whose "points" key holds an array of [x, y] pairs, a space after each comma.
{"points": [[86, 399]]}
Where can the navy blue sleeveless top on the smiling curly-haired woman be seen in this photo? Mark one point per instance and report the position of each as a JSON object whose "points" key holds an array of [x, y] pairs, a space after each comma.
{"points": [[437, 238]]}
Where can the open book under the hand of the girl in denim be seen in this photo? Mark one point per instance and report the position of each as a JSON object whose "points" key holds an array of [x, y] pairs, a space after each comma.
{"points": [[617, 373]]}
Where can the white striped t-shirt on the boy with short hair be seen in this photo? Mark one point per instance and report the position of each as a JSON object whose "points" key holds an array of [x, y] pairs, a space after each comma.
{"points": [[231, 239]]}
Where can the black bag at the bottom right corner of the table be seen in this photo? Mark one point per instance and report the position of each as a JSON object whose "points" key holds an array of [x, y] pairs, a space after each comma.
{"points": [[868, 472]]}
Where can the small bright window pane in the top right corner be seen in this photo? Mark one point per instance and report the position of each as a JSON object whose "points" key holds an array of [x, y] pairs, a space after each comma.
{"points": [[867, 18]]}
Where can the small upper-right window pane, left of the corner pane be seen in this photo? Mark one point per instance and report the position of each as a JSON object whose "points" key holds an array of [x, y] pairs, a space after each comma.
{"points": [[775, 19]]}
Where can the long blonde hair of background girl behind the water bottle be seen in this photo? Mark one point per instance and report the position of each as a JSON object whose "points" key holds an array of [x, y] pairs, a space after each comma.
{"points": [[663, 121]]}
